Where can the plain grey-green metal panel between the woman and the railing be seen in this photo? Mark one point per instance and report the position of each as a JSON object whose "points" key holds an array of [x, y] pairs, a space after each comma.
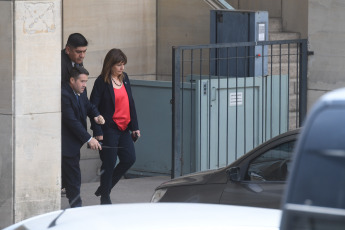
{"points": [[153, 149]]}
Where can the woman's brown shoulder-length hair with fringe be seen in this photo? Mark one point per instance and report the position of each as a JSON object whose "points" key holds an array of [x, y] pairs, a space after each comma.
{"points": [[113, 57]]}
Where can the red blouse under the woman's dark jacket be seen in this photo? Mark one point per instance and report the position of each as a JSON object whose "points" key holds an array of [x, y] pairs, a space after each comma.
{"points": [[121, 115]]}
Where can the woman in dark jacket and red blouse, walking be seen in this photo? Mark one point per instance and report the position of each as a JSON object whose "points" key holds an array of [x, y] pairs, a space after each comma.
{"points": [[112, 95]]}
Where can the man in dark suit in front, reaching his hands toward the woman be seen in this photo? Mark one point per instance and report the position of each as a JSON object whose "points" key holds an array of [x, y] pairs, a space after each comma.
{"points": [[75, 107]]}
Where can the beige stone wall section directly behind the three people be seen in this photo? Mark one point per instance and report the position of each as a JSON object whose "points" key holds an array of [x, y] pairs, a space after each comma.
{"points": [[128, 25]]}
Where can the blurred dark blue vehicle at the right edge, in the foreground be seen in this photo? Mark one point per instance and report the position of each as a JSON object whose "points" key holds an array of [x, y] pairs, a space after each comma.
{"points": [[315, 193]]}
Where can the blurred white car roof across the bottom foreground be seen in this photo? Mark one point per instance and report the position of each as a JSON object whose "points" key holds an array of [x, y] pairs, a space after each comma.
{"points": [[156, 216]]}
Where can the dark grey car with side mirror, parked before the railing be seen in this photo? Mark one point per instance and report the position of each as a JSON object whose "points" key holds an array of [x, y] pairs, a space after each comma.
{"points": [[256, 179]]}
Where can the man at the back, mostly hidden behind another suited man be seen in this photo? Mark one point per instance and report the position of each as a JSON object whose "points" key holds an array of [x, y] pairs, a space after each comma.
{"points": [[73, 54]]}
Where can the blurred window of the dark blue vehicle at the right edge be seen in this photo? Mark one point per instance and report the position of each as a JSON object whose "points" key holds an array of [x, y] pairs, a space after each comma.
{"points": [[322, 183]]}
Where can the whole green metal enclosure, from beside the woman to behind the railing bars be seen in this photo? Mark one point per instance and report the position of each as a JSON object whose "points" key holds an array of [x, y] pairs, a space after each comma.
{"points": [[217, 126]]}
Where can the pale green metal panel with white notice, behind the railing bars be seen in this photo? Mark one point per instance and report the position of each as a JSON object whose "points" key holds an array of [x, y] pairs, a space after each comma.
{"points": [[231, 114]]}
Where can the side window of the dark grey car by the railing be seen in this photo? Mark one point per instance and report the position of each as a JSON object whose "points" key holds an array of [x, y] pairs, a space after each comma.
{"points": [[272, 165]]}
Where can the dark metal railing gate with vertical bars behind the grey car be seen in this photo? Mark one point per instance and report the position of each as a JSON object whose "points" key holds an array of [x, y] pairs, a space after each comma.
{"points": [[229, 98]]}
